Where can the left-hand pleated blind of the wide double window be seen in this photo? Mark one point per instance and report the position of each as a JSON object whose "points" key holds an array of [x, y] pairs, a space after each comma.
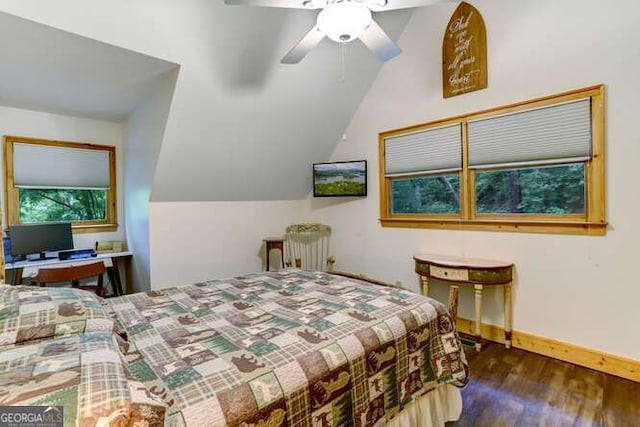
{"points": [[428, 151]]}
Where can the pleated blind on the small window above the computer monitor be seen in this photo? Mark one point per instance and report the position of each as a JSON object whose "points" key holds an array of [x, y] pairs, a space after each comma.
{"points": [[44, 166]]}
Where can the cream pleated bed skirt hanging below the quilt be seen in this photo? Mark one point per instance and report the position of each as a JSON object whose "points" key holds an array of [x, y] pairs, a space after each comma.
{"points": [[442, 404]]}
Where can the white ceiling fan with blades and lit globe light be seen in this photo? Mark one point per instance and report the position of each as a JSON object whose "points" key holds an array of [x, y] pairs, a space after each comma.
{"points": [[342, 21]]}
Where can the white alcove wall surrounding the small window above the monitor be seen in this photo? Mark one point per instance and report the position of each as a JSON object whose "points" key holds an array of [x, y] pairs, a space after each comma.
{"points": [[35, 124]]}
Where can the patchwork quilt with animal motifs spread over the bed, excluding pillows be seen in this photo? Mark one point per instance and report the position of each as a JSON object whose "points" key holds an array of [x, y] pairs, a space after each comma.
{"points": [[290, 348]]}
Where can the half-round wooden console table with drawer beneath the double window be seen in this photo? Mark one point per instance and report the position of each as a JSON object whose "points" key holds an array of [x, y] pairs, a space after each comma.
{"points": [[469, 271]]}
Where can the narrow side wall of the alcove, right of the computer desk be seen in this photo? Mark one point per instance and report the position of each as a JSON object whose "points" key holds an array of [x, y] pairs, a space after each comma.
{"points": [[143, 134]]}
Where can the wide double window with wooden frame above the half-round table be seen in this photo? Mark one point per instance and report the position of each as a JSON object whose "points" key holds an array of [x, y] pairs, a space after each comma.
{"points": [[536, 166]]}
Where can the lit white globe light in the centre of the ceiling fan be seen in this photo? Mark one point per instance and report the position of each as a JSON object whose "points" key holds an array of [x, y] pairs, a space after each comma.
{"points": [[345, 21]]}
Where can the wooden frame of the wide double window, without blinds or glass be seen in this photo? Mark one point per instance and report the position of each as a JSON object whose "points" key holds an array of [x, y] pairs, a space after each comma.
{"points": [[592, 222]]}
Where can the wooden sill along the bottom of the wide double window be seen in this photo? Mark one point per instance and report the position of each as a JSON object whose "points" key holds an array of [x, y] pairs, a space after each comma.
{"points": [[509, 225]]}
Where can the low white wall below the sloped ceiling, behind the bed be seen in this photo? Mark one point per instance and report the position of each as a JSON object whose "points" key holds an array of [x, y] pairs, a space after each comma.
{"points": [[196, 241]]}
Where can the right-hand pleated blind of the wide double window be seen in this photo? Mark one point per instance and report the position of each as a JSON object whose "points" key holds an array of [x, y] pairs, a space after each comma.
{"points": [[548, 135]]}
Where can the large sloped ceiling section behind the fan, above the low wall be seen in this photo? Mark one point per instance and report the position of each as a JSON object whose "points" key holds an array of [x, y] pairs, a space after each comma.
{"points": [[241, 126]]}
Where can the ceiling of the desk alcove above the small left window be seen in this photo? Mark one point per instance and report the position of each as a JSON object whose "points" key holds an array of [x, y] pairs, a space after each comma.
{"points": [[51, 70]]}
